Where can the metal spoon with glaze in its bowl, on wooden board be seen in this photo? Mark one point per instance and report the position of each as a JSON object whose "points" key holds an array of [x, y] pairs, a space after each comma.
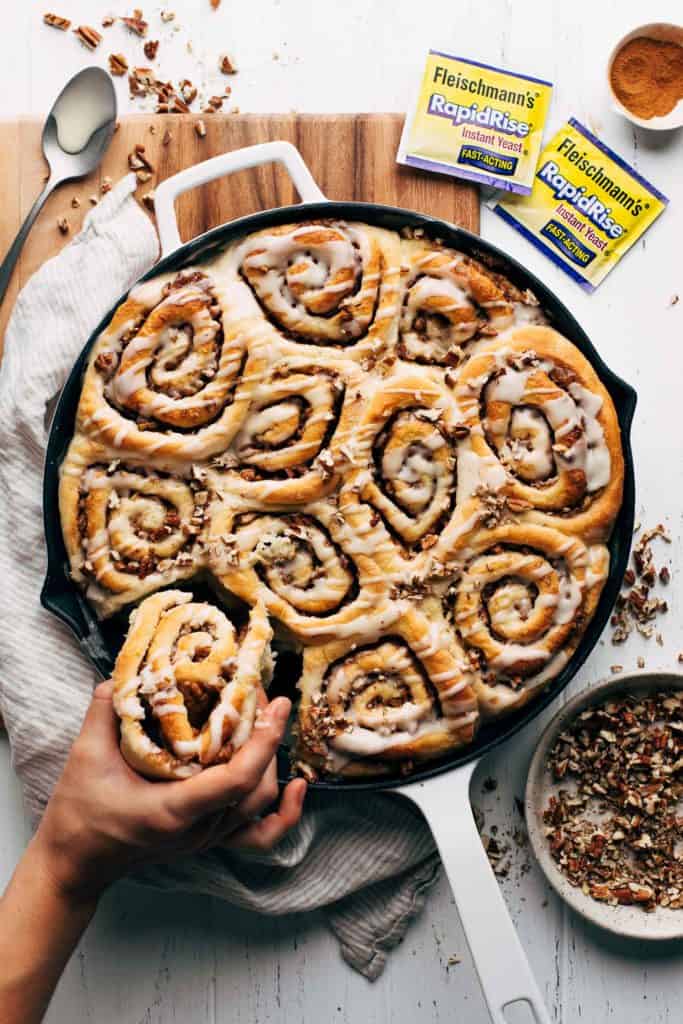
{"points": [[77, 134]]}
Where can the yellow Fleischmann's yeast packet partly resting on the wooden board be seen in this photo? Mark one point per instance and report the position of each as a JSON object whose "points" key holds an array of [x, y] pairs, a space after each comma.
{"points": [[477, 122]]}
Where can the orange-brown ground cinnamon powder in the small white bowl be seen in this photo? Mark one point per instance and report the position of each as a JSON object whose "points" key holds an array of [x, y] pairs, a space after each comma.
{"points": [[647, 76]]}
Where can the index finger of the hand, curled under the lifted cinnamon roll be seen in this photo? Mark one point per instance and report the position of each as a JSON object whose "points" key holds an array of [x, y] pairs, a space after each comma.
{"points": [[225, 786]]}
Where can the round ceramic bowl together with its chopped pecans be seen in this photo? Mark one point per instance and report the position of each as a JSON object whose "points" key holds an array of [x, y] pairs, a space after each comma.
{"points": [[604, 805]]}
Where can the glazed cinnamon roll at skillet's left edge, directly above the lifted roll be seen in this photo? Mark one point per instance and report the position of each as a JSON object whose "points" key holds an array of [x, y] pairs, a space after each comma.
{"points": [[129, 531]]}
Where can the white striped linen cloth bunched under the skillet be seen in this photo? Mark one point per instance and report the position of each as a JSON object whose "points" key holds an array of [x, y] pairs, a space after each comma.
{"points": [[369, 860]]}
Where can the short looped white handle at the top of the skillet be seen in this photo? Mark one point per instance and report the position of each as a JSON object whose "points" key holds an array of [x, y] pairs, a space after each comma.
{"points": [[253, 156]]}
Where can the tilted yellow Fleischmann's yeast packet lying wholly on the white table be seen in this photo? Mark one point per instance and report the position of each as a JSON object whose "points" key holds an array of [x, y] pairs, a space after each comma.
{"points": [[587, 207]]}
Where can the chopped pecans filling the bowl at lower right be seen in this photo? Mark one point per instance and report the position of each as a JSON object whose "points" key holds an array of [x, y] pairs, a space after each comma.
{"points": [[614, 828]]}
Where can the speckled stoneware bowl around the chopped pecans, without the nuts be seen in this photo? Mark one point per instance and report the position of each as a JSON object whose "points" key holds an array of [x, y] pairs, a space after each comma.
{"points": [[629, 922]]}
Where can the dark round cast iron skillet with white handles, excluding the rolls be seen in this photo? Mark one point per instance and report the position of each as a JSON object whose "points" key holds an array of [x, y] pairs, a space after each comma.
{"points": [[505, 975]]}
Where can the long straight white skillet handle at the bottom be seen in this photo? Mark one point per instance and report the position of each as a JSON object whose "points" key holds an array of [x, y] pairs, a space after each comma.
{"points": [[497, 952]]}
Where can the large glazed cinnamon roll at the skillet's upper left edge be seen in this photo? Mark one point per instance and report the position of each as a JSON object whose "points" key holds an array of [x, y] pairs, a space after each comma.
{"points": [[162, 377]]}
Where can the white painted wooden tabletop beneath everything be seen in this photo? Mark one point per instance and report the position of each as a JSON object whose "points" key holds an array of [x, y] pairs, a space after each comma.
{"points": [[154, 960]]}
